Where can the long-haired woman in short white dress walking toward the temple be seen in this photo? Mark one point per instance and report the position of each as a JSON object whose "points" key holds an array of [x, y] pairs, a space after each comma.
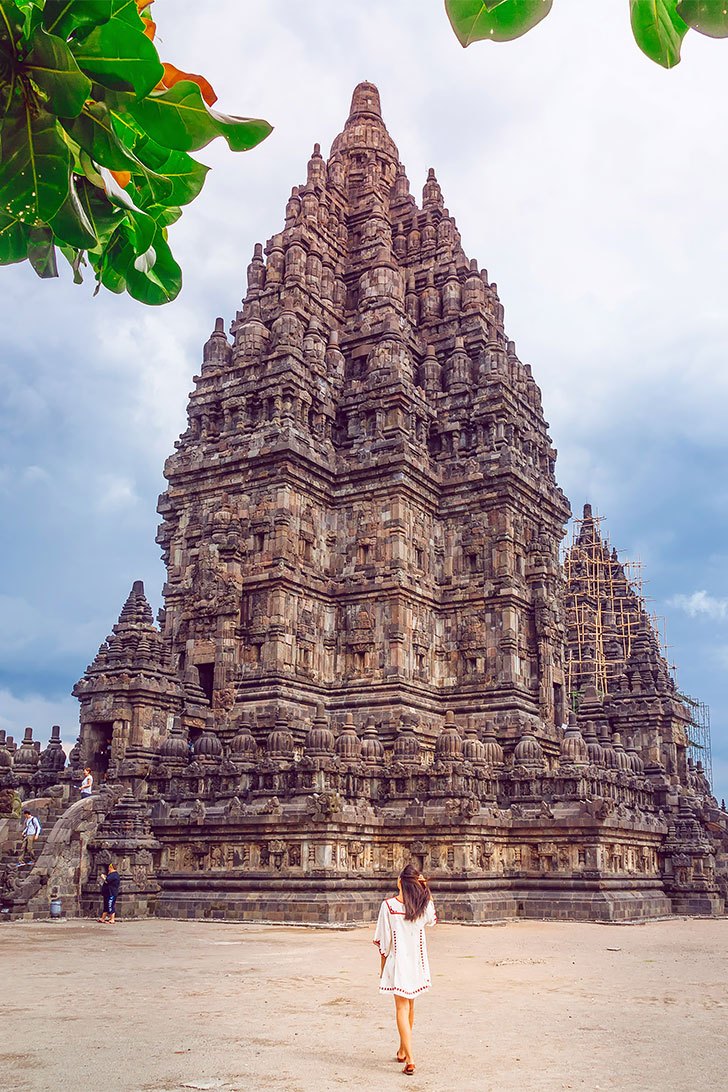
{"points": [[400, 937]]}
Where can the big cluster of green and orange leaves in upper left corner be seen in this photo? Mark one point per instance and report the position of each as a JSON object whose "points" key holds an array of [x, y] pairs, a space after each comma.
{"points": [[96, 135]]}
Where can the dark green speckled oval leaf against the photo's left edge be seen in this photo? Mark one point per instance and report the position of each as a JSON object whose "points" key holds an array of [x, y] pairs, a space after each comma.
{"points": [[34, 167]]}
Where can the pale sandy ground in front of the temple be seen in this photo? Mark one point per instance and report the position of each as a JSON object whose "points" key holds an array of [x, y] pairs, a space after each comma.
{"points": [[160, 1006]]}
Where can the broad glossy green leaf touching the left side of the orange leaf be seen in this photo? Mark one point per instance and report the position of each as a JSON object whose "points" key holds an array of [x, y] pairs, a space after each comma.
{"points": [[120, 57]]}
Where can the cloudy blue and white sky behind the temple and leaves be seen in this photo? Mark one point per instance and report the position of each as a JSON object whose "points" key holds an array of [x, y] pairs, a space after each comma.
{"points": [[590, 184]]}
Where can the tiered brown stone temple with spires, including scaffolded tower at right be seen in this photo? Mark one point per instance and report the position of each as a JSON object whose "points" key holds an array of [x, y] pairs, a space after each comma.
{"points": [[367, 651]]}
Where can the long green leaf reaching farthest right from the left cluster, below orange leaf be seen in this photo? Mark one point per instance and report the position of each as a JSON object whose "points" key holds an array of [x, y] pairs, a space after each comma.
{"points": [[182, 120]]}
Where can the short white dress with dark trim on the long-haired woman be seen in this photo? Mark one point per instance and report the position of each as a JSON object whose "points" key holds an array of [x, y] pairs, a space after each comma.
{"points": [[407, 971]]}
